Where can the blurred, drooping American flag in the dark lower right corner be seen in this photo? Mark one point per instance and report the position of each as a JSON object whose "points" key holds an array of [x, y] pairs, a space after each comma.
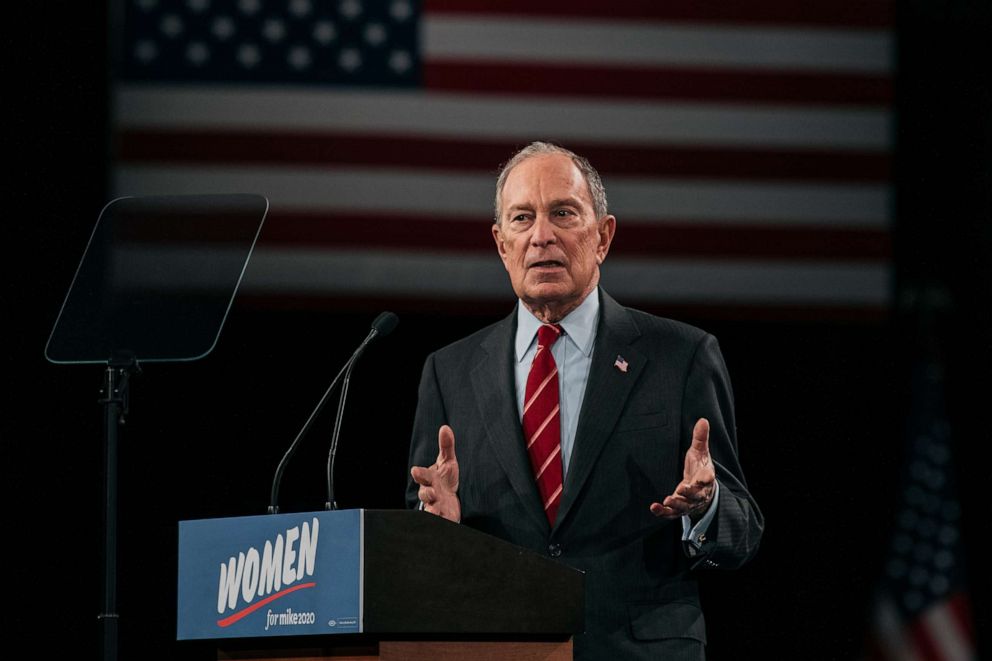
{"points": [[922, 610]]}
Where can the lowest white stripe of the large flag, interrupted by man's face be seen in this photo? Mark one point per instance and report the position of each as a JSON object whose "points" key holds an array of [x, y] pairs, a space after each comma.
{"points": [[452, 276]]}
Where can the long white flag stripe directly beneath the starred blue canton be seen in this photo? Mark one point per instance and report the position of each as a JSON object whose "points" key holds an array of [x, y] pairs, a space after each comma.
{"points": [[467, 116]]}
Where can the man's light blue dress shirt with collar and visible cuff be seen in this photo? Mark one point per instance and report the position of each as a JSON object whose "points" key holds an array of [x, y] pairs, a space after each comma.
{"points": [[573, 356]]}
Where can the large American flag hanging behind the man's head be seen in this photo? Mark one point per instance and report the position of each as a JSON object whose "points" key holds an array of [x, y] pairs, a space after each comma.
{"points": [[745, 147]]}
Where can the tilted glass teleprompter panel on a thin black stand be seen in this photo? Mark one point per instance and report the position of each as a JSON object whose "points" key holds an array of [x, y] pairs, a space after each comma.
{"points": [[155, 284]]}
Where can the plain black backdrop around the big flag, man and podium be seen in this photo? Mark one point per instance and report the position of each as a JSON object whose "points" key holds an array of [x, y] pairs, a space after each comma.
{"points": [[820, 404]]}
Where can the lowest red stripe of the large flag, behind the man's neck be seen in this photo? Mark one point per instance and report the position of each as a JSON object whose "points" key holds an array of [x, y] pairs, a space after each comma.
{"points": [[488, 309]]}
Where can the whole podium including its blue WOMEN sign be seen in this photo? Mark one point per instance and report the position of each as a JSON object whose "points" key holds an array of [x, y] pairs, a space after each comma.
{"points": [[371, 584]]}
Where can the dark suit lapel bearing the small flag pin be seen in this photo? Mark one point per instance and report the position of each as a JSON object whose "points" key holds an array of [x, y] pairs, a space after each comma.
{"points": [[606, 394]]}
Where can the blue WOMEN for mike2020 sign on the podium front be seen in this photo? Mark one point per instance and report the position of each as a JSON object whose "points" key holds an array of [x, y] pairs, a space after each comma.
{"points": [[272, 575]]}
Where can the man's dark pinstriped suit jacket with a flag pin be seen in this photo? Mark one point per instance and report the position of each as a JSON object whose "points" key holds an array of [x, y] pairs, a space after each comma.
{"points": [[634, 429]]}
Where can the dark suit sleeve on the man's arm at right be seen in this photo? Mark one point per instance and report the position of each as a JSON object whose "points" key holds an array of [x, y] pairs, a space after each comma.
{"points": [[734, 535]]}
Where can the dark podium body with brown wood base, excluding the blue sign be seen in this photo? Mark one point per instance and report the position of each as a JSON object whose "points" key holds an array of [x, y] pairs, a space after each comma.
{"points": [[437, 590]]}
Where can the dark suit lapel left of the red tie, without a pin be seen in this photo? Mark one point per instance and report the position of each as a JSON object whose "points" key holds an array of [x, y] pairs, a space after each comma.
{"points": [[494, 385]]}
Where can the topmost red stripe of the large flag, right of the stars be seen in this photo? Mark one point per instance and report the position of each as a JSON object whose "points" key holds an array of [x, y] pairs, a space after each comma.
{"points": [[848, 13]]}
